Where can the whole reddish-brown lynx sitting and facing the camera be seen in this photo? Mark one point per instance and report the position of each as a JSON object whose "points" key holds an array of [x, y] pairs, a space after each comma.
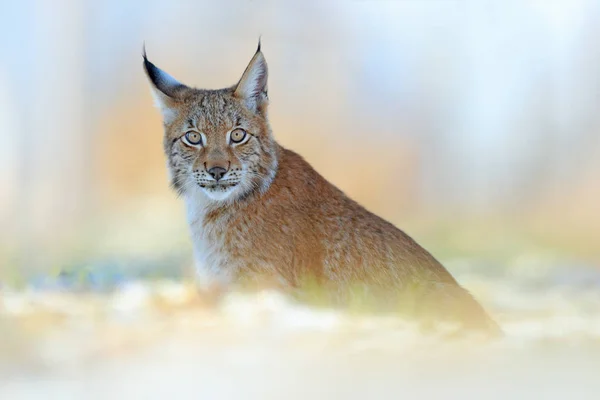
{"points": [[259, 211]]}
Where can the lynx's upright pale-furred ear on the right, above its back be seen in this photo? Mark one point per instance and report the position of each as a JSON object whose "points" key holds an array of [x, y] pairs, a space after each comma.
{"points": [[252, 87]]}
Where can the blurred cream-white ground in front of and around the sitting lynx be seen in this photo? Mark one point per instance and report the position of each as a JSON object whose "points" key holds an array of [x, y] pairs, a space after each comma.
{"points": [[157, 339]]}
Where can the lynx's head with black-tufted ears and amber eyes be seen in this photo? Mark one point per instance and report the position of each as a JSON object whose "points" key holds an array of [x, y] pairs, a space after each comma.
{"points": [[218, 142]]}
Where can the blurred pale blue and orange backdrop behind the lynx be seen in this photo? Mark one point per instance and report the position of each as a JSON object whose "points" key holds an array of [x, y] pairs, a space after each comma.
{"points": [[471, 124]]}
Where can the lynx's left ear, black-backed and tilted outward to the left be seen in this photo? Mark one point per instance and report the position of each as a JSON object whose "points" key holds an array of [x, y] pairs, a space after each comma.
{"points": [[166, 90]]}
